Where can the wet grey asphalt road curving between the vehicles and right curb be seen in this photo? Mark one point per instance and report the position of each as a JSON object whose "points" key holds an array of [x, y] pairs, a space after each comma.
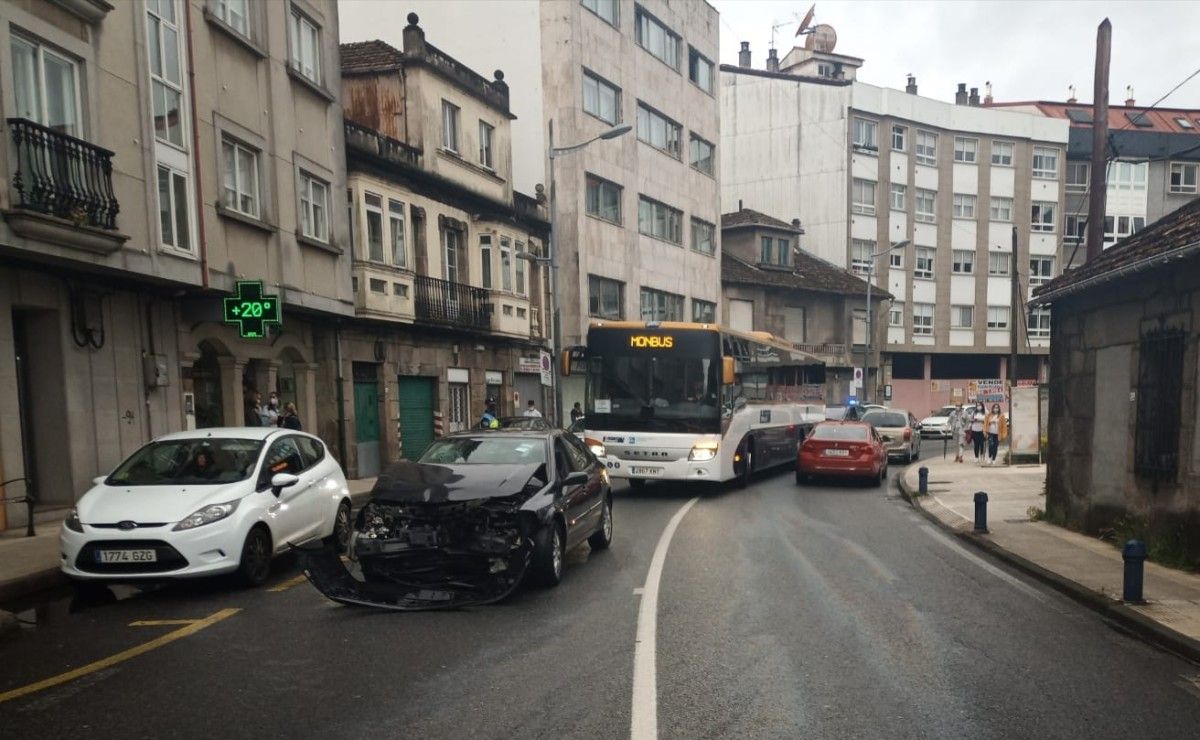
{"points": [[784, 612]]}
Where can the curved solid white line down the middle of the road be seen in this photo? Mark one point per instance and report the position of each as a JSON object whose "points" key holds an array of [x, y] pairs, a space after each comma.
{"points": [[644, 723]]}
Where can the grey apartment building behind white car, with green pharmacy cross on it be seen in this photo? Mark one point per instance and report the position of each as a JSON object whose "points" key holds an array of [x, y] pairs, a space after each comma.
{"points": [[153, 160]]}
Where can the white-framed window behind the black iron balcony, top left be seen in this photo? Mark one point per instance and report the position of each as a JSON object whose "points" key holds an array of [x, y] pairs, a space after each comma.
{"points": [[47, 88]]}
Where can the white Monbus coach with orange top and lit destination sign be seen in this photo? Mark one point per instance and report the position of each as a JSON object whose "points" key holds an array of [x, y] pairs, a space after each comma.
{"points": [[693, 402]]}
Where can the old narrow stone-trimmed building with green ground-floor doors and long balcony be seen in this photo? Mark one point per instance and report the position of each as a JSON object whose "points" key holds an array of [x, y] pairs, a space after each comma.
{"points": [[449, 281]]}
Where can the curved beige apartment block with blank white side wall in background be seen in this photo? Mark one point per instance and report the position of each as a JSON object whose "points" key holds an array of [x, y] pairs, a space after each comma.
{"points": [[868, 169]]}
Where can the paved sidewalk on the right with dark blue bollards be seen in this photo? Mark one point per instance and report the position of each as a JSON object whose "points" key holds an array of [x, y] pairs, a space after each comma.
{"points": [[1084, 568]]}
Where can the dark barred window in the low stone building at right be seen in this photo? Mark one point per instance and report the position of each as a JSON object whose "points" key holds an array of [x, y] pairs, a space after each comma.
{"points": [[1160, 402]]}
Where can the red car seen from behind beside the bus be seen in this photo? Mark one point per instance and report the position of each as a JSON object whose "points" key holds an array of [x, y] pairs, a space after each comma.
{"points": [[850, 449]]}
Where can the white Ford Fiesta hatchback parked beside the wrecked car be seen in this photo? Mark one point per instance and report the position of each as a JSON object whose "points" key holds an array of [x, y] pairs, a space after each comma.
{"points": [[206, 503]]}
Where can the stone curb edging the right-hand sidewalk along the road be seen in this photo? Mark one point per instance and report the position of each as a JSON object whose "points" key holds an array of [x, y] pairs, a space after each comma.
{"points": [[1135, 623]]}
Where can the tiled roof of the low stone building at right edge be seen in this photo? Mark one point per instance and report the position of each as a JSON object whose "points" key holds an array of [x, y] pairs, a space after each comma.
{"points": [[1168, 237]]}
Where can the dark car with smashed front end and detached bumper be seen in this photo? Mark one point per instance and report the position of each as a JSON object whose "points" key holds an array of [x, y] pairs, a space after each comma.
{"points": [[467, 524]]}
